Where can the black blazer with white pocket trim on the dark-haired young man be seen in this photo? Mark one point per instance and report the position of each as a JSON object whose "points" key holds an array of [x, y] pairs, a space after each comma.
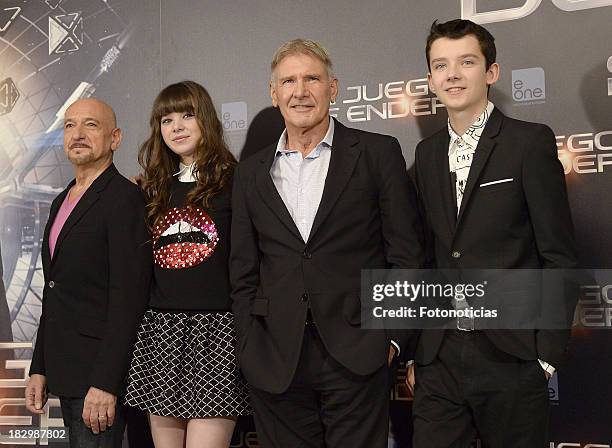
{"points": [[525, 223]]}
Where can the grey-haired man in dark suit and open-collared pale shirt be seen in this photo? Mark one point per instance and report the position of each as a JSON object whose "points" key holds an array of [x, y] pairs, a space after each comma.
{"points": [[308, 214]]}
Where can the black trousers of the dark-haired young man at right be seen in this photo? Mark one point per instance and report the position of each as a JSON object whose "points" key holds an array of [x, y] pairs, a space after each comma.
{"points": [[472, 388]]}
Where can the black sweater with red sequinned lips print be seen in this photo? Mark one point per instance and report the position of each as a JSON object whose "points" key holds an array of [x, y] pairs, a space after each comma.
{"points": [[191, 250]]}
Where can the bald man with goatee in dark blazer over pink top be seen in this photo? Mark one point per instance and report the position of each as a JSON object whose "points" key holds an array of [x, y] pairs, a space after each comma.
{"points": [[97, 265]]}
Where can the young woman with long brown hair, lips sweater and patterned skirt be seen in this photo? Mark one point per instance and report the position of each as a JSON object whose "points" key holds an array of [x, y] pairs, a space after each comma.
{"points": [[183, 372]]}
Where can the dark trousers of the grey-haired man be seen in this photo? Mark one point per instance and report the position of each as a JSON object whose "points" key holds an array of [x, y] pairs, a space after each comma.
{"points": [[326, 405]]}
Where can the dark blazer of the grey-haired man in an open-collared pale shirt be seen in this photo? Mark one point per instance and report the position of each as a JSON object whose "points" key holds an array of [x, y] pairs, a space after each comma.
{"points": [[367, 218]]}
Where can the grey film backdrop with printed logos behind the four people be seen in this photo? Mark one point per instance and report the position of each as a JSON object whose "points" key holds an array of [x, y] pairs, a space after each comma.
{"points": [[556, 68]]}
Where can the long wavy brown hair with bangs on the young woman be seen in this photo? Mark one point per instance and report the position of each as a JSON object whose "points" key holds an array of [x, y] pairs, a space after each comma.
{"points": [[214, 163]]}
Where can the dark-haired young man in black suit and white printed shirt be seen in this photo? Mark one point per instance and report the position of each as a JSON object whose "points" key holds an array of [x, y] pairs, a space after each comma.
{"points": [[494, 197]]}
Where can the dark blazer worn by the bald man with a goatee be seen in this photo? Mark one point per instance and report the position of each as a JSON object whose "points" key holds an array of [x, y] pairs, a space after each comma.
{"points": [[96, 289]]}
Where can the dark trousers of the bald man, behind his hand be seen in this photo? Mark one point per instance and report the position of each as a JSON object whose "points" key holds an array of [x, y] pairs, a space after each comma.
{"points": [[81, 436]]}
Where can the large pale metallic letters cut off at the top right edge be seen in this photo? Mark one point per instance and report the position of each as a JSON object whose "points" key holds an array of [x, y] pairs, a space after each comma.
{"points": [[468, 9]]}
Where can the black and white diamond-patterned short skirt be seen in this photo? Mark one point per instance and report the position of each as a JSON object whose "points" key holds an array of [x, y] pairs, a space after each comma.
{"points": [[184, 366]]}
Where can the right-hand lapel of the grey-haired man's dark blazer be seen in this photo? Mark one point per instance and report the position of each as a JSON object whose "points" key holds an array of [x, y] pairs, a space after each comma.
{"points": [[344, 156]]}
